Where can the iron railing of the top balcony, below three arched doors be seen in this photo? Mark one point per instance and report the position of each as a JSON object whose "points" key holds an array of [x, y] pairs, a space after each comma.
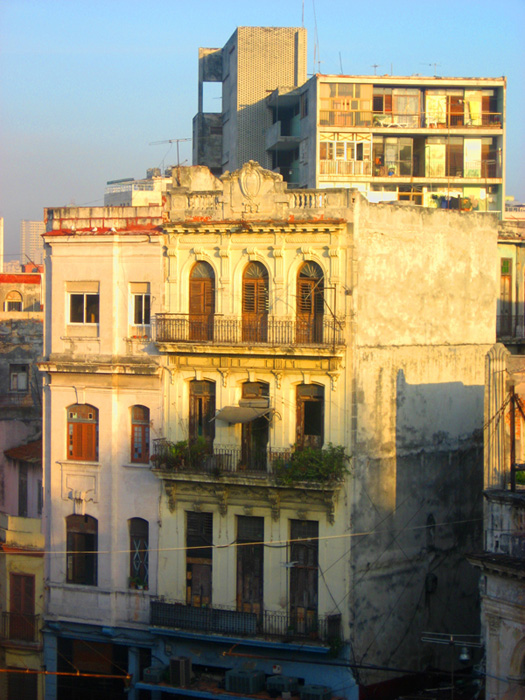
{"points": [[182, 328]]}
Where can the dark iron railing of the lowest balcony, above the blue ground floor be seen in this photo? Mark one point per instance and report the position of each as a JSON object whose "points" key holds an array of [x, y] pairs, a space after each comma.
{"points": [[299, 624]]}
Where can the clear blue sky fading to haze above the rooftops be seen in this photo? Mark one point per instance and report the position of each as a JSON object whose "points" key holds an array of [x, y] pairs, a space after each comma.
{"points": [[87, 85]]}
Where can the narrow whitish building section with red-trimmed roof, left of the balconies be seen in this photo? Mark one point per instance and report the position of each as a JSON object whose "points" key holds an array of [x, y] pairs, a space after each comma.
{"points": [[101, 407]]}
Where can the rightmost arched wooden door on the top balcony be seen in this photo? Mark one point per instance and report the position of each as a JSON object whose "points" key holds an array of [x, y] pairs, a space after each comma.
{"points": [[310, 304]]}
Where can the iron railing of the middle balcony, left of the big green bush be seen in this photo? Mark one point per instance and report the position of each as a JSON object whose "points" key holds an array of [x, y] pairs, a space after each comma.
{"points": [[228, 458]]}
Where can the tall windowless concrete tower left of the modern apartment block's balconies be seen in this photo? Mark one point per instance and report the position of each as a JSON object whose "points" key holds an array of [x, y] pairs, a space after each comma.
{"points": [[252, 64]]}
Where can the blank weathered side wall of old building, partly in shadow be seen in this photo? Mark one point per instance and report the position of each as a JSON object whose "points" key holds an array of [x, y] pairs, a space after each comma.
{"points": [[424, 294]]}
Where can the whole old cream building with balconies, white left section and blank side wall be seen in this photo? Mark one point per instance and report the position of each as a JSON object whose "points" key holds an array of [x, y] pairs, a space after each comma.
{"points": [[251, 411]]}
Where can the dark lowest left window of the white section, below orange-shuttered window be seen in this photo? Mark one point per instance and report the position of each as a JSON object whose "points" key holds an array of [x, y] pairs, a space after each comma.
{"points": [[82, 545]]}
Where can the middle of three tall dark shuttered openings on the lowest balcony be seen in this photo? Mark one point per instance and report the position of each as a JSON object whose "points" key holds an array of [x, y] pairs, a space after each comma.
{"points": [[250, 530]]}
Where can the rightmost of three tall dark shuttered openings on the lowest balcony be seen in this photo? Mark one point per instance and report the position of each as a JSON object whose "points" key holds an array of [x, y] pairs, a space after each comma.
{"points": [[303, 553]]}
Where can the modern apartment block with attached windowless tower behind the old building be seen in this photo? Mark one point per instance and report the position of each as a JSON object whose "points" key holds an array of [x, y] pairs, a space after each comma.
{"points": [[432, 141]]}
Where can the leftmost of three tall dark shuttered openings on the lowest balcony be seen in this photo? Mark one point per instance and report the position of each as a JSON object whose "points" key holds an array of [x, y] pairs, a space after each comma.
{"points": [[199, 540]]}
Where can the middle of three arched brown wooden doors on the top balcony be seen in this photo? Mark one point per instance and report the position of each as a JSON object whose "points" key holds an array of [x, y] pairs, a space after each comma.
{"points": [[255, 303]]}
